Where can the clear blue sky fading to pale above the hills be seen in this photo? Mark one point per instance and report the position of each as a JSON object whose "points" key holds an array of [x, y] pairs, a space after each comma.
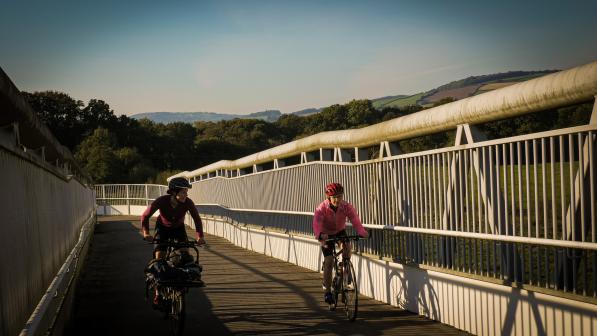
{"points": [[241, 57]]}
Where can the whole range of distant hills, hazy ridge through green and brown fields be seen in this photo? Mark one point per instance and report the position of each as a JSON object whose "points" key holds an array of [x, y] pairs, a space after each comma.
{"points": [[459, 89]]}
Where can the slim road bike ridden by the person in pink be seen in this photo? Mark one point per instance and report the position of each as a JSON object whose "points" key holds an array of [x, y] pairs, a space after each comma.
{"points": [[344, 282]]}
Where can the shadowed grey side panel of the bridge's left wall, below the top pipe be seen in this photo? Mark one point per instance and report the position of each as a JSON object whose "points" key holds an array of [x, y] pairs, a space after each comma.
{"points": [[41, 217]]}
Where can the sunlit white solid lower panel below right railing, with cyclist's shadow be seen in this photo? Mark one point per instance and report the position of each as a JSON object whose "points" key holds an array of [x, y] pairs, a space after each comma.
{"points": [[479, 307]]}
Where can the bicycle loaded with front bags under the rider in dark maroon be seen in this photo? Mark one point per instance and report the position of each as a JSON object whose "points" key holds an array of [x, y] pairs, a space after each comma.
{"points": [[169, 278]]}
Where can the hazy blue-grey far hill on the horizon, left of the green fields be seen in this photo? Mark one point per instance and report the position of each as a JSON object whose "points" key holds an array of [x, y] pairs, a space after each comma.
{"points": [[190, 117]]}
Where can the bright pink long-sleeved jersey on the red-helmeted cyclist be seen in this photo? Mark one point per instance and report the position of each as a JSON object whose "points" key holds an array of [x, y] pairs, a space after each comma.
{"points": [[325, 220]]}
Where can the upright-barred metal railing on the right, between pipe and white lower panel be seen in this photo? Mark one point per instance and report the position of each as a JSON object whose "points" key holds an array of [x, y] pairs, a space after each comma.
{"points": [[518, 209]]}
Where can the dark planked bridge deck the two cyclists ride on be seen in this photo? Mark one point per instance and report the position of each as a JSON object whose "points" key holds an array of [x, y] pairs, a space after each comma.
{"points": [[247, 294]]}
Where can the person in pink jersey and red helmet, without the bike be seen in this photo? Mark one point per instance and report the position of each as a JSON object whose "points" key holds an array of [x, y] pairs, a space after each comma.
{"points": [[329, 221]]}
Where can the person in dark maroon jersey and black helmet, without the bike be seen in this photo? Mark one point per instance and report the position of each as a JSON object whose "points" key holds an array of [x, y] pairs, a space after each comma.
{"points": [[170, 223]]}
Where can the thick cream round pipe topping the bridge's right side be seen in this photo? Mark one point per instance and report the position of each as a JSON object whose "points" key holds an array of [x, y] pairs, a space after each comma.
{"points": [[554, 90]]}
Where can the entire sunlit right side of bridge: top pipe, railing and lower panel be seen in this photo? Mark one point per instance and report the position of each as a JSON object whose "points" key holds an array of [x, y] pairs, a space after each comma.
{"points": [[511, 220]]}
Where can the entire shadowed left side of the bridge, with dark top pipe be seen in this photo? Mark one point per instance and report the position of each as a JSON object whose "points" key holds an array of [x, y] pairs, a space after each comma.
{"points": [[47, 208]]}
